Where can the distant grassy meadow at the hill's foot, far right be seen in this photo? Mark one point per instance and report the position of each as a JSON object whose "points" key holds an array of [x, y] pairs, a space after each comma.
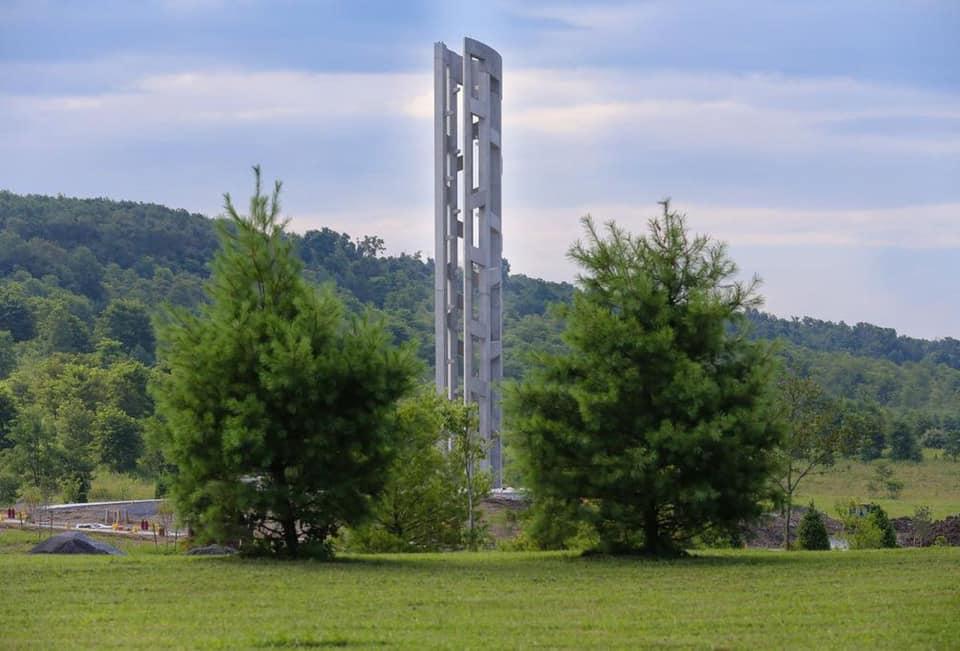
{"points": [[934, 482]]}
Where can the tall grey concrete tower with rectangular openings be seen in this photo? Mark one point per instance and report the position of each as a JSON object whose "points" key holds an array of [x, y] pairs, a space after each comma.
{"points": [[469, 295]]}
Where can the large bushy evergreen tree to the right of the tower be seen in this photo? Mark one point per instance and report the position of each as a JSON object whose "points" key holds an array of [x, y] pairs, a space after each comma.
{"points": [[660, 415]]}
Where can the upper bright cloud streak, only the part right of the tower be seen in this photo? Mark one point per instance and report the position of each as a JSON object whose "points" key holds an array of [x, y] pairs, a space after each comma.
{"points": [[740, 112]]}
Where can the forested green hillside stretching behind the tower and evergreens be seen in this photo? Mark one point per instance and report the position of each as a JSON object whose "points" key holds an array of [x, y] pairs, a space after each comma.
{"points": [[82, 282]]}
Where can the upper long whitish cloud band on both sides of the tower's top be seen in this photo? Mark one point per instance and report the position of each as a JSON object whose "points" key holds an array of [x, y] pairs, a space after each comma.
{"points": [[681, 111]]}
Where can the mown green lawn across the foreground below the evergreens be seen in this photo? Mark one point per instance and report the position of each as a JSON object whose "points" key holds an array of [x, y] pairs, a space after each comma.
{"points": [[884, 599]]}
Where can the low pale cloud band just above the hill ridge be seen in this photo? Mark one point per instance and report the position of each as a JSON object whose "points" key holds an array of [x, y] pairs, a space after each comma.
{"points": [[536, 240]]}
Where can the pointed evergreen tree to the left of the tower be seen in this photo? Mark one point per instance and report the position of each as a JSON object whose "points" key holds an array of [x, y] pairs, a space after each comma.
{"points": [[278, 410]]}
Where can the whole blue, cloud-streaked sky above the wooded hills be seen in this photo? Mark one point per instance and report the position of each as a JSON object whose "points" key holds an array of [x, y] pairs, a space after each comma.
{"points": [[819, 139]]}
